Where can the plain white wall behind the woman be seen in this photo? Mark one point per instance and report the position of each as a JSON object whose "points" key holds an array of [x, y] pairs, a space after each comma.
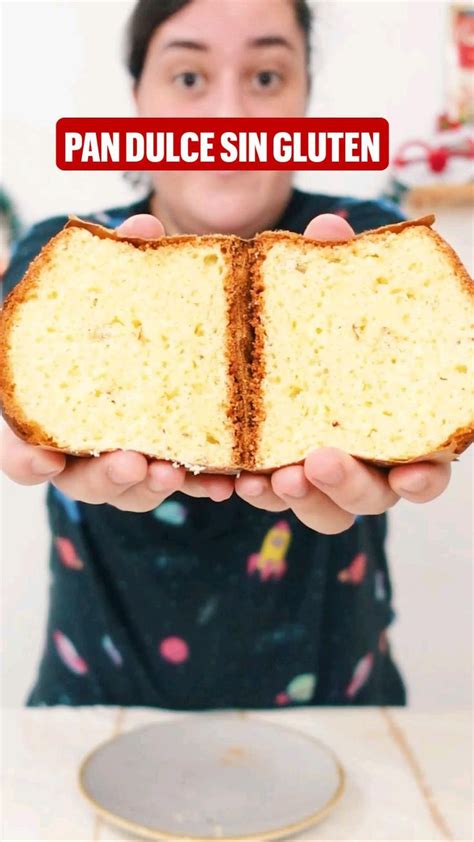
{"points": [[372, 59]]}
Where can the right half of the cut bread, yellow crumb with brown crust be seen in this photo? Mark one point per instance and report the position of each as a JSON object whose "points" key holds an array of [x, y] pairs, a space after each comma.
{"points": [[366, 346]]}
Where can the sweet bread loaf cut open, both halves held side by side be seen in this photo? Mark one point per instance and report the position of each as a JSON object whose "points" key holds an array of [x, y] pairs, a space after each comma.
{"points": [[223, 354]]}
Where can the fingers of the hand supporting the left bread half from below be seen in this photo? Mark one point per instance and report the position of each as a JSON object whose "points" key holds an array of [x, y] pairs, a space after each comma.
{"points": [[123, 479]]}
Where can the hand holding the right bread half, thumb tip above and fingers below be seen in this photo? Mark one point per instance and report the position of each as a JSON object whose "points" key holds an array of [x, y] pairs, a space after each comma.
{"points": [[332, 487]]}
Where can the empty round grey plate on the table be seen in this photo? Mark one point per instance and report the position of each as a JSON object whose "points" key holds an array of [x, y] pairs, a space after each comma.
{"points": [[212, 776]]}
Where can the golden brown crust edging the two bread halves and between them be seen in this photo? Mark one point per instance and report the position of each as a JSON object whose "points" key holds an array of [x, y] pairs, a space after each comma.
{"points": [[246, 339]]}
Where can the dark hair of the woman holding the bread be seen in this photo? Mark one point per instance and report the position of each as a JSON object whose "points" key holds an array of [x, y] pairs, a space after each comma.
{"points": [[149, 14]]}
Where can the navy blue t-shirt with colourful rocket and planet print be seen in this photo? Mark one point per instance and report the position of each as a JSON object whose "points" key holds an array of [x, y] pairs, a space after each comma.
{"points": [[177, 607]]}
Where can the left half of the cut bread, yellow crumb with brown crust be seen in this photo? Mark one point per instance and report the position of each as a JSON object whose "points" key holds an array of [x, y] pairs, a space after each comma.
{"points": [[112, 344]]}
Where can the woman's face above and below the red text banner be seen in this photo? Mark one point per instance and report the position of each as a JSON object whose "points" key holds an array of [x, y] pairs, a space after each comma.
{"points": [[224, 58]]}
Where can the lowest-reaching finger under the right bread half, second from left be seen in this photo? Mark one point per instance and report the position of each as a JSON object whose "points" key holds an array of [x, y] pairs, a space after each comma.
{"points": [[310, 505]]}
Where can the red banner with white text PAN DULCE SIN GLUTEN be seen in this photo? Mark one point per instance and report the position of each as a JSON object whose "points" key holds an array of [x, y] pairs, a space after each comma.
{"points": [[306, 143]]}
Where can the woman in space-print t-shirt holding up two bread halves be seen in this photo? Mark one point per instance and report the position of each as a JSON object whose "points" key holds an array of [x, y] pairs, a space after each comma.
{"points": [[160, 594]]}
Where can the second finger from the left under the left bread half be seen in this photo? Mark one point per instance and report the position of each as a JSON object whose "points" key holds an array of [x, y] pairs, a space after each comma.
{"points": [[101, 479]]}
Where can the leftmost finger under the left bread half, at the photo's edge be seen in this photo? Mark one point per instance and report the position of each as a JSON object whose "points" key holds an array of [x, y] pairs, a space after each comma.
{"points": [[27, 464]]}
